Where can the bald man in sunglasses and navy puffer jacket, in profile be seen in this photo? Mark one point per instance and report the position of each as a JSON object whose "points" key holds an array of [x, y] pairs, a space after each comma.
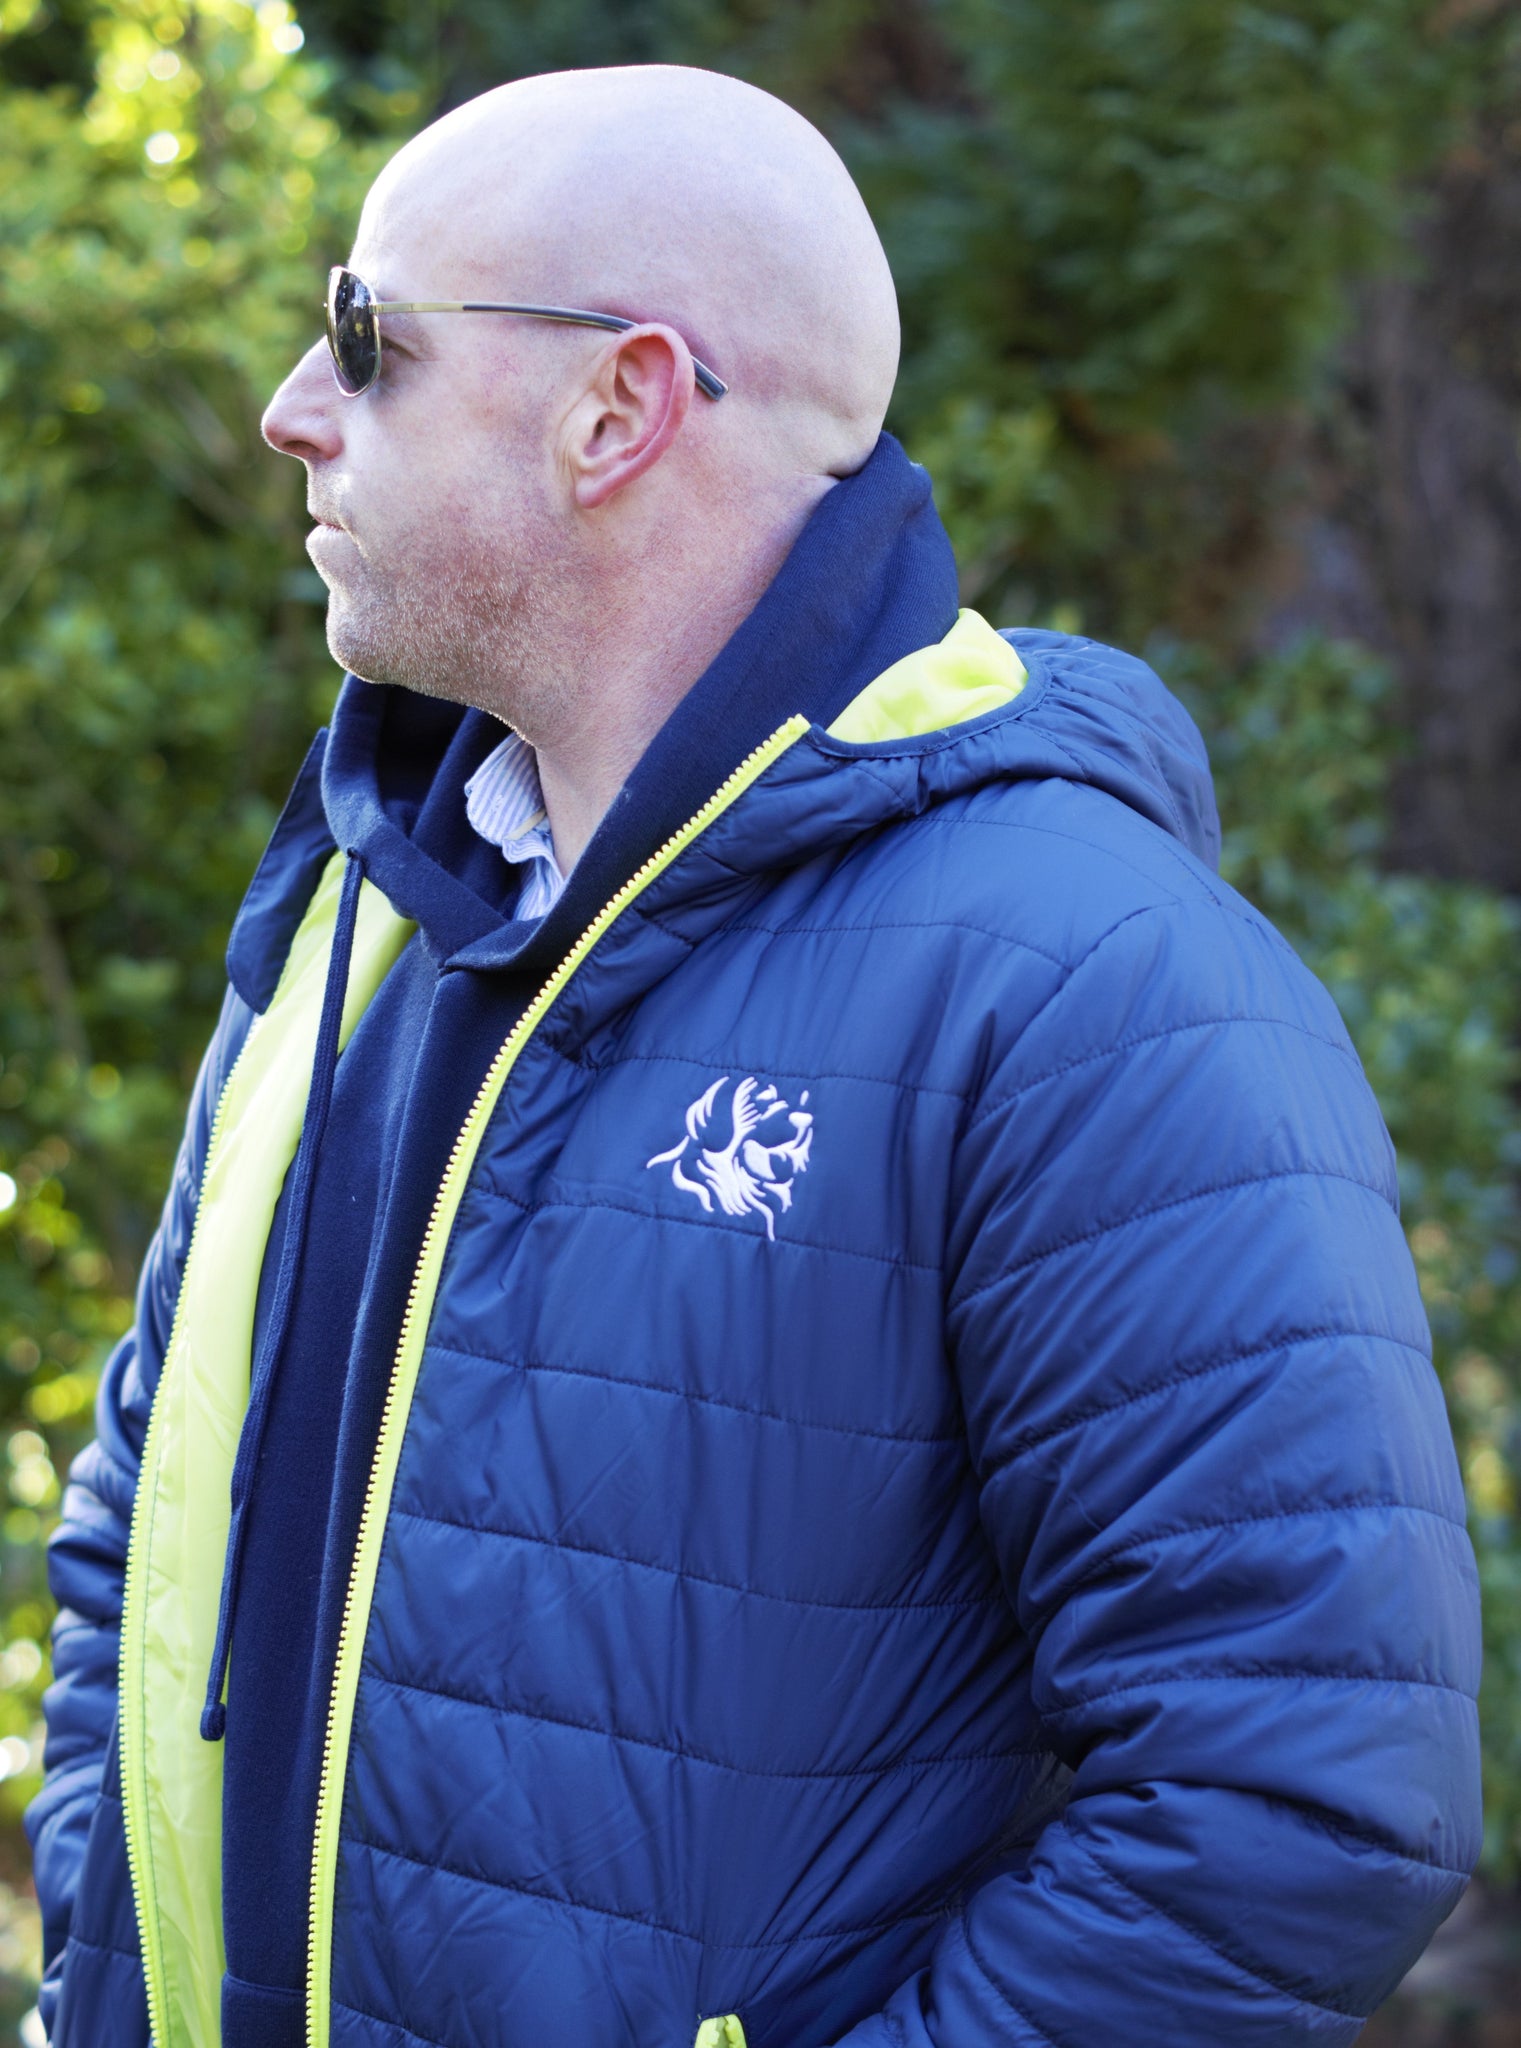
{"points": [[795, 1412]]}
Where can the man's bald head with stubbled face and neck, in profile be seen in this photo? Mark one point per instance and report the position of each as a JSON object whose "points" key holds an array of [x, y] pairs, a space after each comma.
{"points": [[550, 521]]}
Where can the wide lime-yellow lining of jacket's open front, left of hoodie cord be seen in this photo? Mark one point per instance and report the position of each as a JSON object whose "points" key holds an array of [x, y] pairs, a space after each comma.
{"points": [[173, 1783]]}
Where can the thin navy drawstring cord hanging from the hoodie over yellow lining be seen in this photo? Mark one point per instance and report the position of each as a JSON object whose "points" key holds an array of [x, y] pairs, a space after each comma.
{"points": [[214, 1715]]}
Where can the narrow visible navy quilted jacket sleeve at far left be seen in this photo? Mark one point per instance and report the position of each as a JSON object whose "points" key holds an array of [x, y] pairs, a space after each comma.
{"points": [[87, 1555]]}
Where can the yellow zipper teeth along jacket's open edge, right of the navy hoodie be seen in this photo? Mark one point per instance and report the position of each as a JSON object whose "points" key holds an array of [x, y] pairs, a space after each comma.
{"points": [[466, 1144]]}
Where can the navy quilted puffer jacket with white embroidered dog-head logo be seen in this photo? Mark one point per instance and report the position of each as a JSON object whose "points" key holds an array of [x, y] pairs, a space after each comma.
{"points": [[988, 1572]]}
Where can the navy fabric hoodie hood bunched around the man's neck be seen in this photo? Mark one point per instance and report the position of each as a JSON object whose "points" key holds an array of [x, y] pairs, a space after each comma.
{"points": [[869, 581]]}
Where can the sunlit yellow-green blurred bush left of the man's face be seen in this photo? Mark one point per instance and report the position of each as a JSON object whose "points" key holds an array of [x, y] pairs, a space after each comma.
{"points": [[161, 663]]}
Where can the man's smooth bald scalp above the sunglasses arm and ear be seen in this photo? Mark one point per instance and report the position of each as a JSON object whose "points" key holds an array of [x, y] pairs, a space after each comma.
{"points": [[677, 196]]}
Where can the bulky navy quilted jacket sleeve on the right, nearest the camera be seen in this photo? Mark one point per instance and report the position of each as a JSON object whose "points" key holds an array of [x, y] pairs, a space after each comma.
{"points": [[1221, 1486]]}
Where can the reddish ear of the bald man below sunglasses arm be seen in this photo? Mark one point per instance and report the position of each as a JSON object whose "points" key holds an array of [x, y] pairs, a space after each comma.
{"points": [[629, 415]]}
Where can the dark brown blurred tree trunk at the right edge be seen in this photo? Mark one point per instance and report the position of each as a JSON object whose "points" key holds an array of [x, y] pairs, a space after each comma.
{"points": [[1418, 542]]}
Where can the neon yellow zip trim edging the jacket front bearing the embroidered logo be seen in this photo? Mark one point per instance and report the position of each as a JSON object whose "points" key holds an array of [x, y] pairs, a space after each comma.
{"points": [[408, 1361]]}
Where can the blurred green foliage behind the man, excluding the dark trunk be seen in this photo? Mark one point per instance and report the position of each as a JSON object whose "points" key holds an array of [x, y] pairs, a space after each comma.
{"points": [[1125, 237]]}
